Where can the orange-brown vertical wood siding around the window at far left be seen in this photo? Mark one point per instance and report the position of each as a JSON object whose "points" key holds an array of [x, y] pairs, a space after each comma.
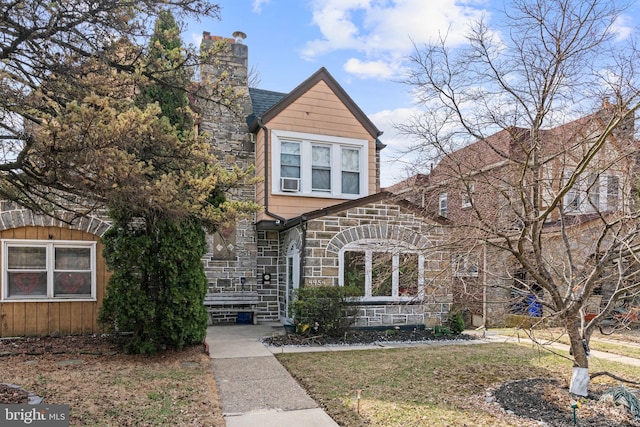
{"points": [[44, 318]]}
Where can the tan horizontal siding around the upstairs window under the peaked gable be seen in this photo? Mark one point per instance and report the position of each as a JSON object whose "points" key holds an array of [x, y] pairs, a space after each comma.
{"points": [[320, 112]]}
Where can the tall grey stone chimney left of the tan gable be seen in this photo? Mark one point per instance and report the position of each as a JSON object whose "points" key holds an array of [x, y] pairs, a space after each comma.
{"points": [[232, 252]]}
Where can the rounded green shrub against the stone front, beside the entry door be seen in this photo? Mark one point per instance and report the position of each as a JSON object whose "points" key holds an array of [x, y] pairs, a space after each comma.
{"points": [[324, 310]]}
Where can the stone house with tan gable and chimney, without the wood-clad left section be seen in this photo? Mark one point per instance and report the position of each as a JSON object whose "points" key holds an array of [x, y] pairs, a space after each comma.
{"points": [[325, 221]]}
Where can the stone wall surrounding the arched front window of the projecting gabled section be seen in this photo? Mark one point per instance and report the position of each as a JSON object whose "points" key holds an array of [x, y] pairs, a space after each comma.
{"points": [[382, 223]]}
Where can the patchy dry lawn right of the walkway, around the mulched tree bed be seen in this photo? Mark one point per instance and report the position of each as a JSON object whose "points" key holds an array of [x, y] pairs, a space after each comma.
{"points": [[439, 385]]}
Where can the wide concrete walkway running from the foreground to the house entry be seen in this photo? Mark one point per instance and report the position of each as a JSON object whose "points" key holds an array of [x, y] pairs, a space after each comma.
{"points": [[254, 388]]}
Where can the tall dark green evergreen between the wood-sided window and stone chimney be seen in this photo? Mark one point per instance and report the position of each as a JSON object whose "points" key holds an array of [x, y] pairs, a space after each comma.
{"points": [[158, 285]]}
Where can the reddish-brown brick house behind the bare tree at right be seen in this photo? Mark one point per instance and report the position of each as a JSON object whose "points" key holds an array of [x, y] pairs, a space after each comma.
{"points": [[475, 189]]}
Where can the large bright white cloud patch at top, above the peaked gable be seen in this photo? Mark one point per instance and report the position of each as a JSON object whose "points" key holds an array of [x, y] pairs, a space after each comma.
{"points": [[382, 31]]}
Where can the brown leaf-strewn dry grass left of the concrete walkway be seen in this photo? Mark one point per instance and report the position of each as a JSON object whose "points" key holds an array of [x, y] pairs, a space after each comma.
{"points": [[175, 389]]}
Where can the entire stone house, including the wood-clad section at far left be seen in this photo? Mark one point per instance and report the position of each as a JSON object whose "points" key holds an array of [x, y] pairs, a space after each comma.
{"points": [[324, 220]]}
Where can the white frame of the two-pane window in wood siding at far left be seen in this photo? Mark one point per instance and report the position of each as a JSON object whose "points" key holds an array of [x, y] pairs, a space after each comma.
{"points": [[50, 246]]}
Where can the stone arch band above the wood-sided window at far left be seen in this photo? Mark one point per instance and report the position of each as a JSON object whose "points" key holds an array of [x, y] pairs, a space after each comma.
{"points": [[17, 218]]}
